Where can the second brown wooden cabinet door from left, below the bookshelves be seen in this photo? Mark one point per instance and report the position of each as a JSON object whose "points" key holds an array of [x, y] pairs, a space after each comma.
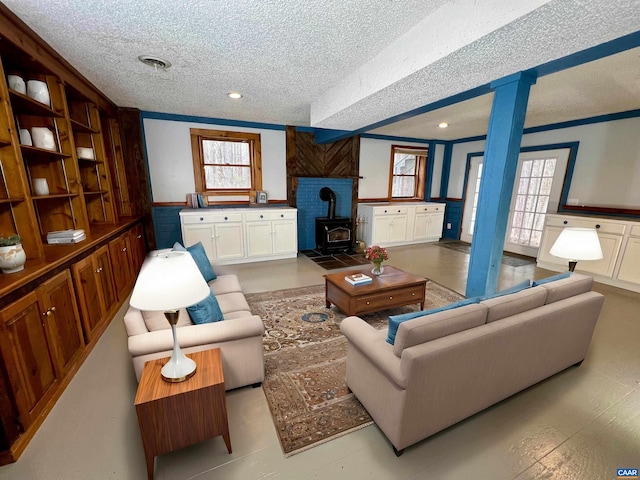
{"points": [[62, 321]]}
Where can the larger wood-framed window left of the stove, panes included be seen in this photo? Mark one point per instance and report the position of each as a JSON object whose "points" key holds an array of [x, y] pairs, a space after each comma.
{"points": [[226, 163]]}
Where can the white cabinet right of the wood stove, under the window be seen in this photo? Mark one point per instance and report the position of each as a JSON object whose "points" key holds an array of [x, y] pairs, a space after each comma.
{"points": [[391, 224]]}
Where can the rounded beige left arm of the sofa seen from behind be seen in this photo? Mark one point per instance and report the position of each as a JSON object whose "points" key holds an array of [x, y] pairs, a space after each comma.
{"points": [[373, 345]]}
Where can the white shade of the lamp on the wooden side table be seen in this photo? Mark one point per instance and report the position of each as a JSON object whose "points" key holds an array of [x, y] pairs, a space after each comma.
{"points": [[169, 281]]}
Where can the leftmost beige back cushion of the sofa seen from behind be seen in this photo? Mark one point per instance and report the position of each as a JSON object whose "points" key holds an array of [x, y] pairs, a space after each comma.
{"points": [[436, 325]]}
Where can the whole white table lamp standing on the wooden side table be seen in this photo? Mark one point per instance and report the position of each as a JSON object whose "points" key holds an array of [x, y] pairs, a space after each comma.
{"points": [[168, 282]]}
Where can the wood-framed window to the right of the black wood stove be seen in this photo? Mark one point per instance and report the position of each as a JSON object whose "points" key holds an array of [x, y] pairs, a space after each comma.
{"points": [[408, 172]]}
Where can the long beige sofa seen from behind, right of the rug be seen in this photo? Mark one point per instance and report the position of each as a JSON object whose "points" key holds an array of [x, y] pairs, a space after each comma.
{"points": [[449, 365]]}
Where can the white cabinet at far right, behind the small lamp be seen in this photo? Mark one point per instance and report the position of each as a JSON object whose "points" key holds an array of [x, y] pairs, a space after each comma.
{"points": [[620, 243]]}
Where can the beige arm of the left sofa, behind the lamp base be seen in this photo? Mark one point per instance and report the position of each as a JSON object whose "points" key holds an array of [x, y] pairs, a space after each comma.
{"points": [[194, 335]]}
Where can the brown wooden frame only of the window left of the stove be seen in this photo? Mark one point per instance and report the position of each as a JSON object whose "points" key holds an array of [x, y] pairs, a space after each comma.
{"points": [[255, 159]]}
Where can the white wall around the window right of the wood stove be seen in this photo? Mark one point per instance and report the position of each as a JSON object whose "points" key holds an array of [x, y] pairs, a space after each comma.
{"points": [[375, 156]]}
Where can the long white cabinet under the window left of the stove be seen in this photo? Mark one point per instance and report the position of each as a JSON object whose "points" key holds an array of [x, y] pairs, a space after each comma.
{"points": [[237, 235]]}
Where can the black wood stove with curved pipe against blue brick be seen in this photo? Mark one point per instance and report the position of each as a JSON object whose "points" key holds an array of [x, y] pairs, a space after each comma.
{"points": [[333, 234]]}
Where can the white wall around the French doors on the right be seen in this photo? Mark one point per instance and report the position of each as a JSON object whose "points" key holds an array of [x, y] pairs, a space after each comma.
{"points": [[607, 169]]}
